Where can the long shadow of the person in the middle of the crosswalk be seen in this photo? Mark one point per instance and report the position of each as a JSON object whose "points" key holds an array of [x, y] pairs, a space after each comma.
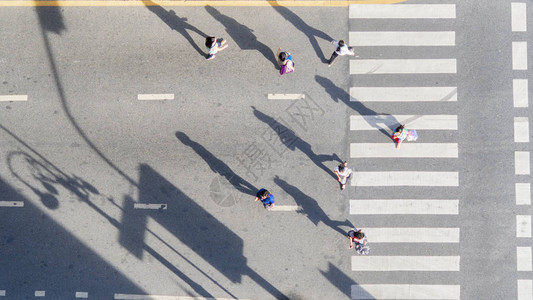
{"points": [[338, 94]]}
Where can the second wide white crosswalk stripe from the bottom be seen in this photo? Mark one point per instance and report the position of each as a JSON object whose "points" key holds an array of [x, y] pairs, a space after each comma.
{"points": [[405, 263]]}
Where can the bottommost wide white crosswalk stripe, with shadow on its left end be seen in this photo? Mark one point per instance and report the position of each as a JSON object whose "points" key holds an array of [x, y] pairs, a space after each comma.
{"points": [[406, 291]]}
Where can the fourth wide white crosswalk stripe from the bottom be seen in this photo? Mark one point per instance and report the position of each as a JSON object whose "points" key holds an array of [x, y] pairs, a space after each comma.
{"points": [[404, 207]]}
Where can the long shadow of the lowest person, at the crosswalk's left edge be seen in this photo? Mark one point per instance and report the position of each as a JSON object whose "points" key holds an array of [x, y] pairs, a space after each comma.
{"points": [[310, 207]]}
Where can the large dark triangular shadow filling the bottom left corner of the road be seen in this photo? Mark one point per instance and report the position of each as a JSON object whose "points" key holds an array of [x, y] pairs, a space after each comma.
{"points": [[42, 253]]}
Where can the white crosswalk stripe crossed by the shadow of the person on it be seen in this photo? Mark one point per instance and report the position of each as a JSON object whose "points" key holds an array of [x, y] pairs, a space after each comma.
{"points": [[389, 122]]}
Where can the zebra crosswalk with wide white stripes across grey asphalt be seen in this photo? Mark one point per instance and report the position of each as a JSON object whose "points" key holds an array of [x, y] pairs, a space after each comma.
{"points": [[429, 164]]}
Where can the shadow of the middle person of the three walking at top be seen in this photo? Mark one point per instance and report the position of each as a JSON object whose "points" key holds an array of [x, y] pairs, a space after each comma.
{"points": [[242, 35]]}
